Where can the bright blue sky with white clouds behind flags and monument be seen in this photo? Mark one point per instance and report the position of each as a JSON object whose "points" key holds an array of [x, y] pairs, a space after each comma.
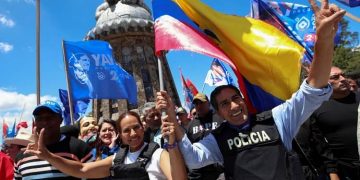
{"points": [[71, 20]]}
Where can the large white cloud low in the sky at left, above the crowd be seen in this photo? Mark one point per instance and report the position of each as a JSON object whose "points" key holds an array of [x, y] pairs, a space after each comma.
{"points": [[14, 105]]}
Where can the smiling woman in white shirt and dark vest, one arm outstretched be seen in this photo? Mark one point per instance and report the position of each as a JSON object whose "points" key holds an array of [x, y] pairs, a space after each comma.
{"points": [[135, 160]]}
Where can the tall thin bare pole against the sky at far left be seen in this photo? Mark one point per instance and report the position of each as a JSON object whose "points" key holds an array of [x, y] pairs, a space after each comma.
{"points": [[38, 52]]}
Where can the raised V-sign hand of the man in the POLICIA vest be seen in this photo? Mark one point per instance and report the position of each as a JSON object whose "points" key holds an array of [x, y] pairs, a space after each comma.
{"points": [[327, 19]]}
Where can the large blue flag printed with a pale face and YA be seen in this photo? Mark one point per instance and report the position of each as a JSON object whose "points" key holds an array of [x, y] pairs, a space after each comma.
{"points": [[94, 74]]}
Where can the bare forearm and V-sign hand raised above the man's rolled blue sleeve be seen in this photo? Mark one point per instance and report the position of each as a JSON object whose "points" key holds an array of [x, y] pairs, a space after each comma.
{"points": [[327, 19]]}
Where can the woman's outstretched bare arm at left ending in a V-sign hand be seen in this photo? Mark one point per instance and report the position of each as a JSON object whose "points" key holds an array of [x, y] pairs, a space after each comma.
{"points": [[98, 169]]}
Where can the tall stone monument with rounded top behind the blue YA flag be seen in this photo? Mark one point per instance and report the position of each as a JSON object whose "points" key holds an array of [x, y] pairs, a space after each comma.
{"points": [[128, 26]]}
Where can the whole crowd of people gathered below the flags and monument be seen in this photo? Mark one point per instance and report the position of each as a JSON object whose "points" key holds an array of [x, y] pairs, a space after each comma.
{"points": [[313, 135]]}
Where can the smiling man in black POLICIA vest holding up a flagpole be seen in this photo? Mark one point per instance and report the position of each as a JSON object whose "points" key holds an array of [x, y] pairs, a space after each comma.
{"points": [[259, 147]]}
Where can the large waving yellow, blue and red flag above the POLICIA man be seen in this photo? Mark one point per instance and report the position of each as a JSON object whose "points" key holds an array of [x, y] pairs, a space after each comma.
{"points": [[266, 61]]}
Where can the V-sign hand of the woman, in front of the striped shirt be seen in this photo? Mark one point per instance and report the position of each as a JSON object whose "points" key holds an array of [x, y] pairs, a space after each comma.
{"points": [[38, 148]]}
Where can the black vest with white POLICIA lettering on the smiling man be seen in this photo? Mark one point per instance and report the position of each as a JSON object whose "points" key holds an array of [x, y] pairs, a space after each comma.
{"points": [[258, 153]]}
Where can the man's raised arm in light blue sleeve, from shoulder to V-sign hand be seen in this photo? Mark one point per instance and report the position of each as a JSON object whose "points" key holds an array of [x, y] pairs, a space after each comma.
{"points": [[291, 114]]}
